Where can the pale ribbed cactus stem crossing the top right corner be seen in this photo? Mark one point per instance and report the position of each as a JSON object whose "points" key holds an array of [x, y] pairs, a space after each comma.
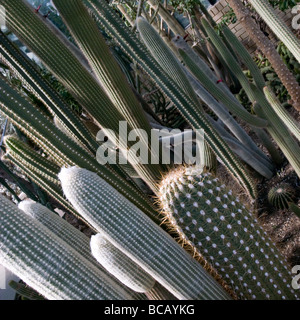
{"points": [[278, 26]]}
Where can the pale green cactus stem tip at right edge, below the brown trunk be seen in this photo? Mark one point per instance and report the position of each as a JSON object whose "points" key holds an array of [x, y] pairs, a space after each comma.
{"points": [[283, 114]]}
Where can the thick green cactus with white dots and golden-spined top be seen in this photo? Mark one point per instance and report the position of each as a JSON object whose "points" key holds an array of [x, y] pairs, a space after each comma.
{"points": [[212, 222]]}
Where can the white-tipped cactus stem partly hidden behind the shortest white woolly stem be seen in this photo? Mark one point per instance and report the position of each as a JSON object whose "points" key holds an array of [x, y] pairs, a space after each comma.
{"points": [[65, 231]]}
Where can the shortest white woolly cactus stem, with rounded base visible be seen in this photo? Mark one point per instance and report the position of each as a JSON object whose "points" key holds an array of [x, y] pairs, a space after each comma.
{"points": [[119, 265]]}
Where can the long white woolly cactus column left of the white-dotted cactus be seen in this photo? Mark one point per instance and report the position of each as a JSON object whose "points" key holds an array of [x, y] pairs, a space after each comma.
{"points": [[132, 232]]}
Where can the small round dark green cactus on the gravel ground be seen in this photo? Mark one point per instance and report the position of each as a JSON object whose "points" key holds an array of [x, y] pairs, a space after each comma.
{"points": [[281, 195]]}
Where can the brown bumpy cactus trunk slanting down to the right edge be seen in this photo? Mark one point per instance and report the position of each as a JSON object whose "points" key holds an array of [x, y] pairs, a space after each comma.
{"points": [[267, 47]]}
